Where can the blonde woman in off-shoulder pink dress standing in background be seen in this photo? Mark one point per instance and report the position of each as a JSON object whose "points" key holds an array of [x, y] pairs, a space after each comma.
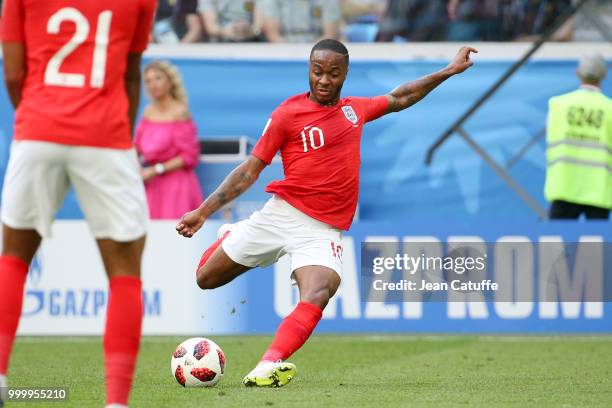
{"points": [[166, 140]]}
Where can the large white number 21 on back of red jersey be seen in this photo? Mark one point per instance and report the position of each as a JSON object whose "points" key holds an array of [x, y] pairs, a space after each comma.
{"points": [[53, 76]]}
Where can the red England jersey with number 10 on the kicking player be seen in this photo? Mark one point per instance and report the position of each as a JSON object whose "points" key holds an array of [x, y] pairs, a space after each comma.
{"points": [[320, 148]]}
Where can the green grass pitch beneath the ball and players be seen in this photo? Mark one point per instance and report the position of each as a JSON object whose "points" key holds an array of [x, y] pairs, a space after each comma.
{"points": [[345, 371]]}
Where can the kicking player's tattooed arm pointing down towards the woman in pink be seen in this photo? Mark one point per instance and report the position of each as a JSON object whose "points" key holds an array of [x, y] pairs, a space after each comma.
{"points": [[236, 183]]}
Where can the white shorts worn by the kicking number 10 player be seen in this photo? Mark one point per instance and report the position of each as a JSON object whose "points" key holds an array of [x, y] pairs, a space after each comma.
{"points": [[279, 229]]}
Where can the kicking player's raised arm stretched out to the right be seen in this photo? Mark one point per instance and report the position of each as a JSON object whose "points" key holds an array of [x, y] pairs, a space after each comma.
{"points": [[411, 92]]}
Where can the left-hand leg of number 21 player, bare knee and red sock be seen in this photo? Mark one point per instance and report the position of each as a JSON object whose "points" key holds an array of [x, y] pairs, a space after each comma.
{"points": [[18, 249]]}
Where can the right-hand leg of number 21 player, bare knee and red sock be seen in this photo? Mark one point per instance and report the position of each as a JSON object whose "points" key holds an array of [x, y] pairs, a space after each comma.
{"points": [[122, 262]]}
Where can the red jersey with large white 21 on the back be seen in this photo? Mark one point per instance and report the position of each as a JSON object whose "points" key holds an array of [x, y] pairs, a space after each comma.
{"points": [[74, 90]]}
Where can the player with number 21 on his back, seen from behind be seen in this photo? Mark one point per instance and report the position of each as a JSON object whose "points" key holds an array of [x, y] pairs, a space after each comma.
{"points": [[72, 71]]}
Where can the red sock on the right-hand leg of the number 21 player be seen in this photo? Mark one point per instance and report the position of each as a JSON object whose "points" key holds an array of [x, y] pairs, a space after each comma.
{"points": [[122, 336]]}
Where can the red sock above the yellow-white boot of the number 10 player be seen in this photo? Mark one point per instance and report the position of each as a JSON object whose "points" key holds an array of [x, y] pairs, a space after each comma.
{"points": [[293, 331]]}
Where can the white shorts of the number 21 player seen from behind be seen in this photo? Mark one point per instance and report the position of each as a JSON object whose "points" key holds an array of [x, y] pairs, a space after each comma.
{"points": [[107, 183]]}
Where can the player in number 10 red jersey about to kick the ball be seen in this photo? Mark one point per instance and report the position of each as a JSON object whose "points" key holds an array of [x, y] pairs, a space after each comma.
{"points": [[318, 134]]}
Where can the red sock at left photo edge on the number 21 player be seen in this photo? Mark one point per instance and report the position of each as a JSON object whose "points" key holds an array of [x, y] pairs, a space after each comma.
{"points": [[13, 272]]}
